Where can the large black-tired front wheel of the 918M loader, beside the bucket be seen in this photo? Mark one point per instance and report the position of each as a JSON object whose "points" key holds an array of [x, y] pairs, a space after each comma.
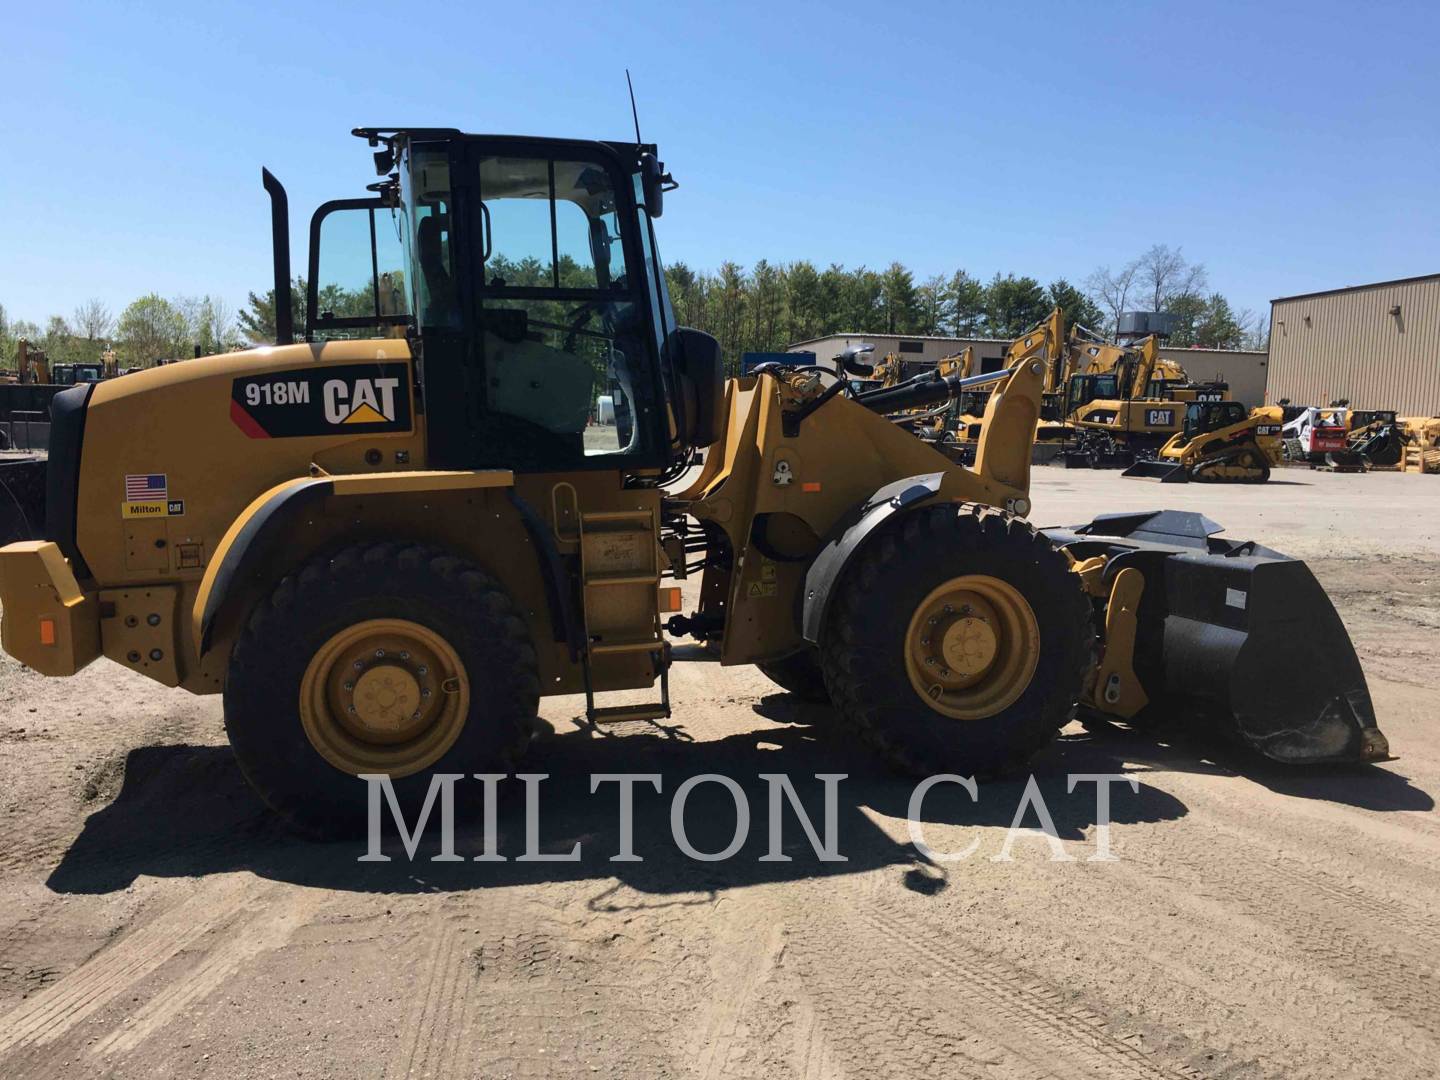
{"points": [[870, 666]]}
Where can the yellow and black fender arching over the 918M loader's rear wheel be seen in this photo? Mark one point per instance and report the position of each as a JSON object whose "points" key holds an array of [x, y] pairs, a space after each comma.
{"points": [[257, 541]]}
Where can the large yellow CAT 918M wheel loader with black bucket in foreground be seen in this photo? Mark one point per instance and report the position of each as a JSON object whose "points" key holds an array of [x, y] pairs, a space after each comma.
{"points": [[384, 544]]}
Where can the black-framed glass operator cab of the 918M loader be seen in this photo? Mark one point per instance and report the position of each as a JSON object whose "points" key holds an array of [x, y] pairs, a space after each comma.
{"points": [[525, 276]]}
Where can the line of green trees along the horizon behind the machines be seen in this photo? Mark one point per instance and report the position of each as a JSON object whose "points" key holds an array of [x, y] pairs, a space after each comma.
{"points": [[764, 309]]}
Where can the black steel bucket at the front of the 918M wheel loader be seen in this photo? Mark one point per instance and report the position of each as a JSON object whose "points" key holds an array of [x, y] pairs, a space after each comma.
{"points": [[1242, 629]]}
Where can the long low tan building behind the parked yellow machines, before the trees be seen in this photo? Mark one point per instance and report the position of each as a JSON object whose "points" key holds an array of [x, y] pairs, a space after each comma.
{"points": [[1243, 369]]}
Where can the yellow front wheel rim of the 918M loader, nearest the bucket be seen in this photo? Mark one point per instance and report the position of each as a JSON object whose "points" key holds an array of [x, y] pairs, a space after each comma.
{"points": [[973, 647]]}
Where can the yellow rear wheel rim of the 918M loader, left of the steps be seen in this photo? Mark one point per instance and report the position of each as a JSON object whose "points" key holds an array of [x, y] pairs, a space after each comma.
{"points": [[384, 696]]}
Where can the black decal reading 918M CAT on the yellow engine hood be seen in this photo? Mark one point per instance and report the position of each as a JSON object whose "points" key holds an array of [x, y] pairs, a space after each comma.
{"points": [[323, 401]]}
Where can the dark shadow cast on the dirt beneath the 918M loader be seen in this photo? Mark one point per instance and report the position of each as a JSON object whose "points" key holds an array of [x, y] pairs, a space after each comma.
{"points": [[185, 811]]}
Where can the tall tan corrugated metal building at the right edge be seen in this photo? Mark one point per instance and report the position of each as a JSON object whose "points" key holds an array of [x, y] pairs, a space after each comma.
{"points": [[1377, 346]]}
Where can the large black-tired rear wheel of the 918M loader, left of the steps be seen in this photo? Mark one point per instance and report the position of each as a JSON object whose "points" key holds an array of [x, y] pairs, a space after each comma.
{"points": [[302, 754]]}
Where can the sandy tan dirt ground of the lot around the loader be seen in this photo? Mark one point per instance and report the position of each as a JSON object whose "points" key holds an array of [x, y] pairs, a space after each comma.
{"points": [[1258, 922]]}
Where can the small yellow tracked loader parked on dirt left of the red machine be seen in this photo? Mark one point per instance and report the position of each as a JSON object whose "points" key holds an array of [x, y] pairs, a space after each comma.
{"points": [[1219, 443]]}
